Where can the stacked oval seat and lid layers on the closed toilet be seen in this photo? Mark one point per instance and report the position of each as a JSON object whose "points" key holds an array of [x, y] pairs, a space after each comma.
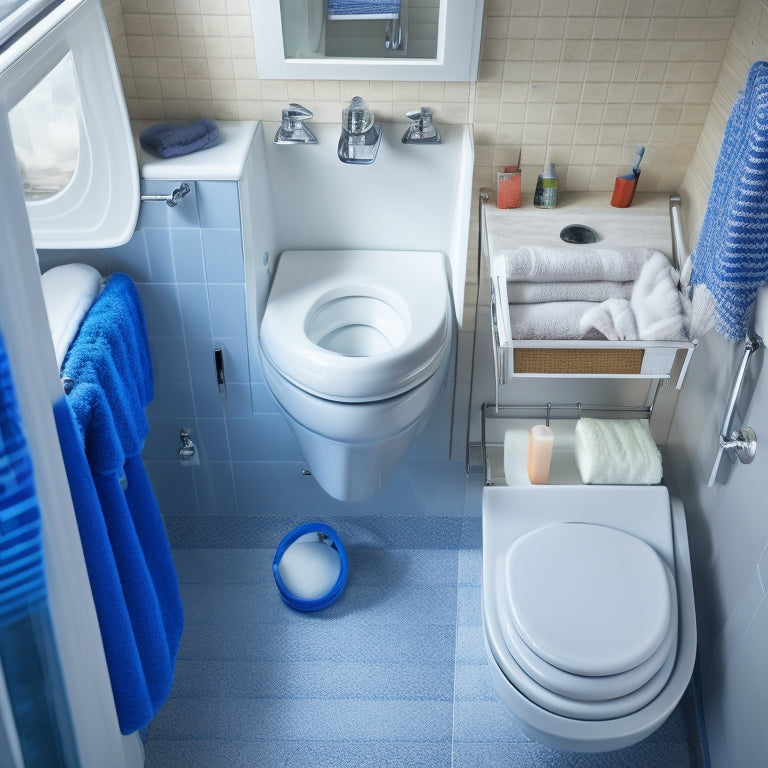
{"points": [[613, 663]]}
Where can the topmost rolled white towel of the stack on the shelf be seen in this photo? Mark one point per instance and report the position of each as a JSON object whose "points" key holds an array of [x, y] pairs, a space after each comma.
{"points": [[543, 264]]}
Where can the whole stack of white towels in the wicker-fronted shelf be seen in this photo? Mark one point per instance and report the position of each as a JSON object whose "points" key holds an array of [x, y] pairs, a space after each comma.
{"points": [[592, 293]]}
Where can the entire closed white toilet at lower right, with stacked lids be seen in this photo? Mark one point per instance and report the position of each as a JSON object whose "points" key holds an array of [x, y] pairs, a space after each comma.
{"points": [[588, 610]]}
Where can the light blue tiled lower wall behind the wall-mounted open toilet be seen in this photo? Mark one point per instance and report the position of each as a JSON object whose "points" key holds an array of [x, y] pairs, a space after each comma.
{"points": [[187, 263]]}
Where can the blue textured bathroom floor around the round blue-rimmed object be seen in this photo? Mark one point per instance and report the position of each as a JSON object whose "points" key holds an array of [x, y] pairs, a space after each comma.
{"points": [[393, 674]]}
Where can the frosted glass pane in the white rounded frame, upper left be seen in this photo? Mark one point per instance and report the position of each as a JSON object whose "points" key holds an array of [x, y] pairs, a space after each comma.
{"points": [[46, 132]]}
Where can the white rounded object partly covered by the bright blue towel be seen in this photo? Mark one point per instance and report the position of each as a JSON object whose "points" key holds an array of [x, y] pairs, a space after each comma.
{"points": [[69, 291]]}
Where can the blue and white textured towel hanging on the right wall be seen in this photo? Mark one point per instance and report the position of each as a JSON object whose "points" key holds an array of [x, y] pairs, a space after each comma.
{"points": [[731, 256]]}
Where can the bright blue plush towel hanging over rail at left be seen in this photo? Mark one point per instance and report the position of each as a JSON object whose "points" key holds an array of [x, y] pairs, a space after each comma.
{"points": [[124, 539]]}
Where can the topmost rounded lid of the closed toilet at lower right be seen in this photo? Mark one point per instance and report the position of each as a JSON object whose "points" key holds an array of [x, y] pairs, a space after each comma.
{"points": [[588, 599]]}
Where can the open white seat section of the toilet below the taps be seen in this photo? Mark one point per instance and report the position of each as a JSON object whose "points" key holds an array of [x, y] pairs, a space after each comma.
{"points": [[356, 326]]}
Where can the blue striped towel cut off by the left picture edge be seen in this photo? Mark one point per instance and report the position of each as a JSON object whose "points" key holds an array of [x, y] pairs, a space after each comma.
{"points": [[22, 575]]}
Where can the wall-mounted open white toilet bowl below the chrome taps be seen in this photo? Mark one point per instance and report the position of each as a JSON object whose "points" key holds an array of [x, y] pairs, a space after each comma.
{"points": [[356, 348]]}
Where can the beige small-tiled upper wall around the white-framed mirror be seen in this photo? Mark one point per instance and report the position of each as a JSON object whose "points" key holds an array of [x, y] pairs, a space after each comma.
{"points": [[583, 80]]}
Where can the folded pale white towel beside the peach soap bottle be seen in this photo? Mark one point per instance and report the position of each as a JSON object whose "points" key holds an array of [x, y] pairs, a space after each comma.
{"points": [[616, 452]]}
